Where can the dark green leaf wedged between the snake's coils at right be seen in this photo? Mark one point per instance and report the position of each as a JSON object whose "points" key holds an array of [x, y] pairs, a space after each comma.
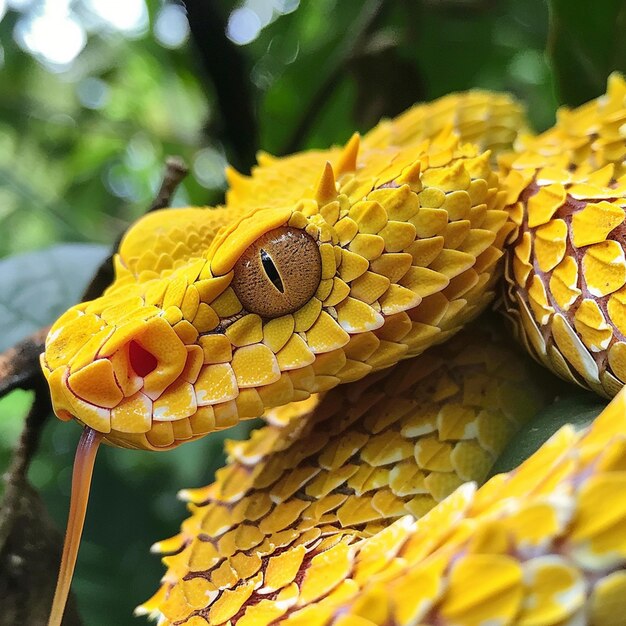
{"points": [[579, 408]]}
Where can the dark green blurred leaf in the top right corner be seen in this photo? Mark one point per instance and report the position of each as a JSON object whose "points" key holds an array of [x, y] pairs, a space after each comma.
{"points": [[586, 44]]}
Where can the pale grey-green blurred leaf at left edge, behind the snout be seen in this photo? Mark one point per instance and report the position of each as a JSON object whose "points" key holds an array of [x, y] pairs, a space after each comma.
{"points": [[36, 287]]}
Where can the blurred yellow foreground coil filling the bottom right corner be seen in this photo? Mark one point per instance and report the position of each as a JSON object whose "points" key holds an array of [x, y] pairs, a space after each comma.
{"points": [[544, 545]]}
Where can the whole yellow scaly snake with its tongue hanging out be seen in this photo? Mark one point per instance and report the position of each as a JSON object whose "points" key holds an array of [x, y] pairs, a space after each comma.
{"points": [[356, 504]]}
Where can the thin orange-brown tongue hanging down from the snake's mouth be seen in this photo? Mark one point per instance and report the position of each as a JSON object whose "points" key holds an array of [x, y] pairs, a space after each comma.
{"points": [[81, 483]]}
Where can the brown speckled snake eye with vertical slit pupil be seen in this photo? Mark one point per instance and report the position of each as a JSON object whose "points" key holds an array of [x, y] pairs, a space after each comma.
{"points": [[278, 273]]}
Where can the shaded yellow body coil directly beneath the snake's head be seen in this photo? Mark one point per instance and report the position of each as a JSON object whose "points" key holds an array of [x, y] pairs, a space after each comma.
{"points": [[328, 477]]}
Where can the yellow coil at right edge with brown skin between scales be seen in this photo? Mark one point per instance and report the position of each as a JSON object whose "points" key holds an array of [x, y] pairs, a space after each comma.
{"points": [[566, 273]]}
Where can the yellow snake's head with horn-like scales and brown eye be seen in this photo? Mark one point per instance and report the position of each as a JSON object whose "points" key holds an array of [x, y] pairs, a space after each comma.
{"points": [[217, 315]]}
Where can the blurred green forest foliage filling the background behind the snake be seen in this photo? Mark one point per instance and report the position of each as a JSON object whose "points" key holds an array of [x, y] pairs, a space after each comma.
{"points": [[95, 93]]}
